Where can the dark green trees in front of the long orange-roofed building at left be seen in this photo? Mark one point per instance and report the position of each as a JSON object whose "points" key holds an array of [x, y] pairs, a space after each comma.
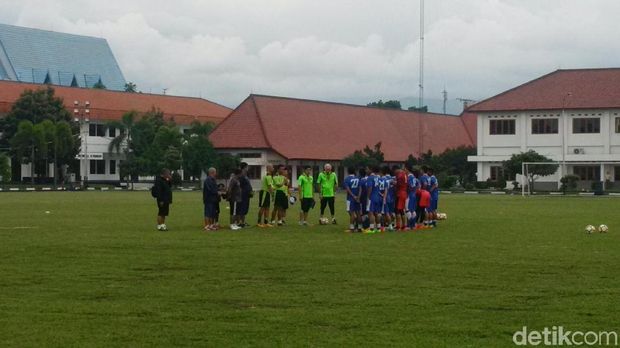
{"points": [[40, 131]]}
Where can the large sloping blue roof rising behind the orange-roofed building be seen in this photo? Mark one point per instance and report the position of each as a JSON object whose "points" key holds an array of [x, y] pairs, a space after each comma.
{"points": [[41, 56]]}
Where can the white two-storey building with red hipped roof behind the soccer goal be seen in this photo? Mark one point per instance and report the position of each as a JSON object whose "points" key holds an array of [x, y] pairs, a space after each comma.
{"points": [[570, 116]]}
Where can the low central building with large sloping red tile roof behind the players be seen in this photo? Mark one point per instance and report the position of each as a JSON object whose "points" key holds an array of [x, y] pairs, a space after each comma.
{"points": [[269, 129]]}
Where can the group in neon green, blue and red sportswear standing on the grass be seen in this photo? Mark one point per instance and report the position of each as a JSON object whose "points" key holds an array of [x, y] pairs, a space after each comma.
{"points": [[378, 198]]}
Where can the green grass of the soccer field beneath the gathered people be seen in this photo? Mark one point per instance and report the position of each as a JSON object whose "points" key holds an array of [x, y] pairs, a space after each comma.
{"points": [[94, 272]]}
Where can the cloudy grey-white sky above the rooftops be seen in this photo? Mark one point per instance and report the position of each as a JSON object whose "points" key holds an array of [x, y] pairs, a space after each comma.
{"points": [[341, 50]]}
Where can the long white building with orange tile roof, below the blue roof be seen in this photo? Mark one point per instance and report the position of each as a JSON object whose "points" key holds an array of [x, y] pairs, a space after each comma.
{"points": [[94, 108]]}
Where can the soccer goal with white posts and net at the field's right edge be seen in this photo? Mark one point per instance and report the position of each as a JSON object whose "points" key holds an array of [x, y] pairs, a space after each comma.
{"points": [[593, 171]]}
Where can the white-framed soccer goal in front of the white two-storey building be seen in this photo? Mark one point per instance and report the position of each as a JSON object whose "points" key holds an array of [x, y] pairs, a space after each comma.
{"points": [[548, 175]]}
